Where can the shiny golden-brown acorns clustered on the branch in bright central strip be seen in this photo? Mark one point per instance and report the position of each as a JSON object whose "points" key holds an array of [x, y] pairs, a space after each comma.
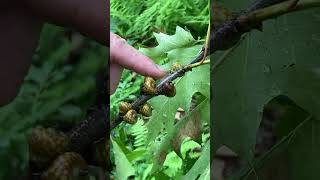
{"points": [[130, 114]]}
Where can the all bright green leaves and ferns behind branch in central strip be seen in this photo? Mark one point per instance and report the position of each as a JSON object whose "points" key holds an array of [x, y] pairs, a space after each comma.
{"points": [[161, 147]]}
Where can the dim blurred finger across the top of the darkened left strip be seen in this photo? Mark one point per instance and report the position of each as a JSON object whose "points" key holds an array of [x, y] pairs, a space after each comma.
{"points": [[90, 17]]}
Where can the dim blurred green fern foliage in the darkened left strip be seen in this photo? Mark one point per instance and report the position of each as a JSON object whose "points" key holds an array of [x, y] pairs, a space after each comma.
{"points": [[58, 89]]}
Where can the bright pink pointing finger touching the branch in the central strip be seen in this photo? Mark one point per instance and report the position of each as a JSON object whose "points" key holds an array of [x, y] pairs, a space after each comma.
{"points": [[127, 56]]}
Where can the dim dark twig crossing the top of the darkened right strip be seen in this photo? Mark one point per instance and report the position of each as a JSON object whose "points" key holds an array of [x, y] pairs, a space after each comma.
{"points": [[229, 33]]}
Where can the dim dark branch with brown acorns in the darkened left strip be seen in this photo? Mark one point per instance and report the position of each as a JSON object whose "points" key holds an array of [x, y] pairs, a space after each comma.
{"points": [[52, 150]]}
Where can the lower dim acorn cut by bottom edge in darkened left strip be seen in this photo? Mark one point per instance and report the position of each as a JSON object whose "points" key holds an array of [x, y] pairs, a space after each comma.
{"points": [[67, 166]]}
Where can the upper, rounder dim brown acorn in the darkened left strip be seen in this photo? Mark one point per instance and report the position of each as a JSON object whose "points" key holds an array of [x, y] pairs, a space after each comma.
{"points": [[45, 144]]}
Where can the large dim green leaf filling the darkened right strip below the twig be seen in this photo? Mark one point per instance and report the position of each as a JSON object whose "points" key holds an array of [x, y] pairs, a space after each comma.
{"points": [[283, 60]]}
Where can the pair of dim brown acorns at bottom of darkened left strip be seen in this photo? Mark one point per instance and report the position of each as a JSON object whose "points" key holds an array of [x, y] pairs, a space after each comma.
{"points": [[49, 152]]}
